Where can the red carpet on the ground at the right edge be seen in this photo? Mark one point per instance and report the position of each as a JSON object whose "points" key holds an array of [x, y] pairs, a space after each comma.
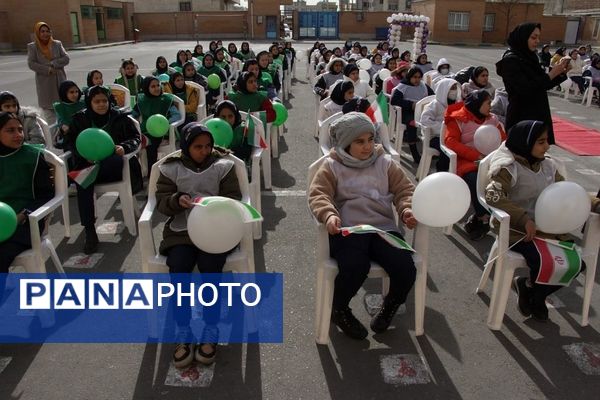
{"points": [[576, 138]]}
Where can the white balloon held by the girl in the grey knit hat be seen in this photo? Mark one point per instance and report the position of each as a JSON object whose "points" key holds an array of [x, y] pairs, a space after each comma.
{"points": [[441, 199]]}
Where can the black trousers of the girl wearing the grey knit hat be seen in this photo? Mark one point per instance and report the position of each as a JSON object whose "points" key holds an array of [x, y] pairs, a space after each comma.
{"points": [[354, 254]]}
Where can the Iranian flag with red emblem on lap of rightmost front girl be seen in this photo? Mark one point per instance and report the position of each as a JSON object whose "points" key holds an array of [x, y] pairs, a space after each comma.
{"points": [[560, 262]]}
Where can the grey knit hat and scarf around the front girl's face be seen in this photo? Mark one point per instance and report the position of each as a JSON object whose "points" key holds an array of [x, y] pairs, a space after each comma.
{"points": [[345, 130]]}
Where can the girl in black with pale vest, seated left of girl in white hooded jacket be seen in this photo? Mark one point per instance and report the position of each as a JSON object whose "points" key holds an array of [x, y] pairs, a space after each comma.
{"points": [[406, 95]]}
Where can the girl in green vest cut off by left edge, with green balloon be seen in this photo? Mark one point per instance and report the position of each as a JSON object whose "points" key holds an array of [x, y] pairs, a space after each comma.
{"points": [[25, 185]]}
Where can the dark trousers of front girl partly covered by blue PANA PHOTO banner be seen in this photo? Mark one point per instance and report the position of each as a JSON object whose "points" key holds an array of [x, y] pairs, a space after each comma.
{"points": [[182, 259]]}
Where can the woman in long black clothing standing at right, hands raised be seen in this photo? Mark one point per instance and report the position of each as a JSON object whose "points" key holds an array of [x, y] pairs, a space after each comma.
{"points": [[525, 80]]}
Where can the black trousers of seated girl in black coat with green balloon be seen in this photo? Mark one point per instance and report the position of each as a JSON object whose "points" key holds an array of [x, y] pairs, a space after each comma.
{"points": [[111, 170]]}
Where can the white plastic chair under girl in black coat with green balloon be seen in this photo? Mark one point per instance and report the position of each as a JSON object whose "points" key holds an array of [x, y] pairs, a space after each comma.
{"points": [[129, 205]]}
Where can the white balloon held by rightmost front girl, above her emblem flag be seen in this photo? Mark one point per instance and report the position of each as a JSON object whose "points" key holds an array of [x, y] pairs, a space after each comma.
{"points": [[562, 207]]}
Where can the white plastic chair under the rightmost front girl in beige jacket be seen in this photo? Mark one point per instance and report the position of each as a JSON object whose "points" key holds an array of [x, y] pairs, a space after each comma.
{"points": [[508, 260]]}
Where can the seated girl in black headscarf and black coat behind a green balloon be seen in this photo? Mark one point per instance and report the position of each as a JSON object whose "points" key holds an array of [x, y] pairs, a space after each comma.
{"points": [[99, 114]]}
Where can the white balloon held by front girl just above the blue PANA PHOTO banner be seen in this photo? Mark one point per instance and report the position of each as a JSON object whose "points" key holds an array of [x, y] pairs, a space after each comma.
{"points": [[216, 227]]}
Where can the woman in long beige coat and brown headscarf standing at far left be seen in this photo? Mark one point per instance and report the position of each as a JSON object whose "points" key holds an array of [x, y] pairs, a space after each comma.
{"points": [[47, 57]]}
